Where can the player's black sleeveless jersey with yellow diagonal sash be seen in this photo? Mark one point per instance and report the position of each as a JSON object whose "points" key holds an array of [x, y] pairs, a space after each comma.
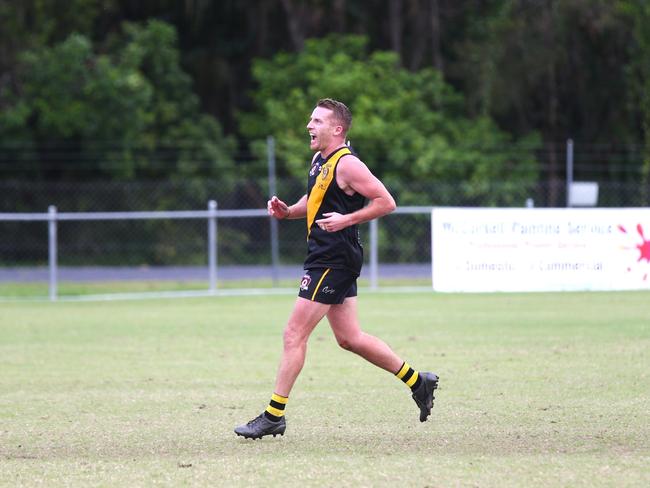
{"points": [[336, 250]]}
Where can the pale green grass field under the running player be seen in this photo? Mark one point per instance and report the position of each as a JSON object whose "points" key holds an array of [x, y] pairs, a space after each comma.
{"points": [[536, 390]]}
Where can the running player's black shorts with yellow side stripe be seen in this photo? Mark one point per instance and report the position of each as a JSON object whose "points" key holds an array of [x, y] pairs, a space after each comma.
{"points": [[326, 285]]}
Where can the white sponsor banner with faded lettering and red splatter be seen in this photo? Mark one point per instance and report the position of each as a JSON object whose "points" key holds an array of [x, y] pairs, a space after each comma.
{"points": [[516, 249]]}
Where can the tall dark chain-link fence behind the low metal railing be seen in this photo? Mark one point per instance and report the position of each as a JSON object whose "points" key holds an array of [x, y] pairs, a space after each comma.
{"points": [[171, 254]]}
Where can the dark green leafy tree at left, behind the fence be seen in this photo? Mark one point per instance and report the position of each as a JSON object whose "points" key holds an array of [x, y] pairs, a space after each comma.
{"points": [[127, 107]]}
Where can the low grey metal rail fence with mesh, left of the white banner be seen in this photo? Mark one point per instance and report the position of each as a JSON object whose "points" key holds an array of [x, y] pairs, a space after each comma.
{"points": [[167, 250]]}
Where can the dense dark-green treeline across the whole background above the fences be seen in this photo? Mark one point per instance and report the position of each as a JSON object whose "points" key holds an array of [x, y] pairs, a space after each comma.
{"points": [[443, 89]]}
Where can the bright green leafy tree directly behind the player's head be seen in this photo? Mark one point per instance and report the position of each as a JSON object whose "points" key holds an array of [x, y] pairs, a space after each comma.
{"points": [[407, 125]]}
